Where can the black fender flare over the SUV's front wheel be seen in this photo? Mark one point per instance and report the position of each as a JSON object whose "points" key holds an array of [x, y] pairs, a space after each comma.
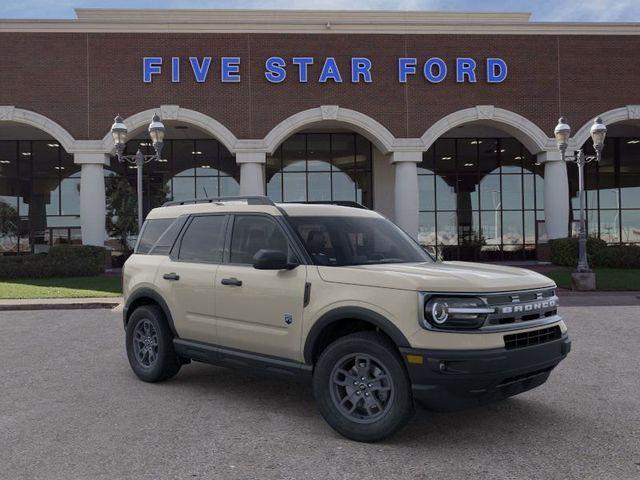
{"points": [[351, 313]]}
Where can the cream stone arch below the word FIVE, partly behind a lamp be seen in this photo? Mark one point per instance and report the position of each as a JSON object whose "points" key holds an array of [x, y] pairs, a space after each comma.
{"points": [[177, 113]]}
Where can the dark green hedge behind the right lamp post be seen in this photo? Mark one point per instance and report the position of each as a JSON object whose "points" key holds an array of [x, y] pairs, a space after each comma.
{"points": [[564, 252]]}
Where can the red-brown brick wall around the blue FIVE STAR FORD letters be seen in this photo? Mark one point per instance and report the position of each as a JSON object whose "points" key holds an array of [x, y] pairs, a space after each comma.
{"points": [[82, 80]]}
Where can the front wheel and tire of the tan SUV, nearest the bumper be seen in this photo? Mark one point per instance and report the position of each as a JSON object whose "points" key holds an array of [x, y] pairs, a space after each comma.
{"points": [[369, 410]]}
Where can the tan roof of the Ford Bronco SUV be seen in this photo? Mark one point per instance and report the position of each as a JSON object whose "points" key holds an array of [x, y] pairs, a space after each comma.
{"points": [[293, 209]]}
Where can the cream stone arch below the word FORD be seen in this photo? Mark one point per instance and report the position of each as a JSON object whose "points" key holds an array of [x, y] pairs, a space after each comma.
{"points": [[527, 132]]}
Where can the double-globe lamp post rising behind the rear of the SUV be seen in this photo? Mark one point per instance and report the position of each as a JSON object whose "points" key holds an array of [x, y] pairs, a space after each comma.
{"points": [[156, 132]]}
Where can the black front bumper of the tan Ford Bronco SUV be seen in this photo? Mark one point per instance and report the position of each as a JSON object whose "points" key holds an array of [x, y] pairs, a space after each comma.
{"points": [[456, 379]]}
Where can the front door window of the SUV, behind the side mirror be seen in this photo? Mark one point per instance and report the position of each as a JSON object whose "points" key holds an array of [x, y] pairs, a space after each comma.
{"points": [[252, 233]]}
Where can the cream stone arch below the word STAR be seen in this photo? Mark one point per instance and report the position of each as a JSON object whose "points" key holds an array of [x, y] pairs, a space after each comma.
{"points": [[373, 130]]}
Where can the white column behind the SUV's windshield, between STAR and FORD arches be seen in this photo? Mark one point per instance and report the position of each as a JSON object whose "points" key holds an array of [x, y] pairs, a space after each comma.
{"points": [[406, 190]]}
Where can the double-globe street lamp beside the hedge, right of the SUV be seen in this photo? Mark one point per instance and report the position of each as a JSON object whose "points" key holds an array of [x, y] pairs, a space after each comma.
{"points": [[562, 133]]}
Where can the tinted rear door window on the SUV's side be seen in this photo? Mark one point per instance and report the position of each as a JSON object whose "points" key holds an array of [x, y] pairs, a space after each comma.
{"points": [[204, 239]]}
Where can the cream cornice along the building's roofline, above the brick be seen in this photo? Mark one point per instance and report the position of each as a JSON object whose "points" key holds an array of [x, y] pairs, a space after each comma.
{"points": [[311, 22]]}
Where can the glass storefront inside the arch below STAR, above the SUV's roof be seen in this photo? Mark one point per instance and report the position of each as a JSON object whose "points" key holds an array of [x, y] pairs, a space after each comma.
{"points": [[321, 167]]}
